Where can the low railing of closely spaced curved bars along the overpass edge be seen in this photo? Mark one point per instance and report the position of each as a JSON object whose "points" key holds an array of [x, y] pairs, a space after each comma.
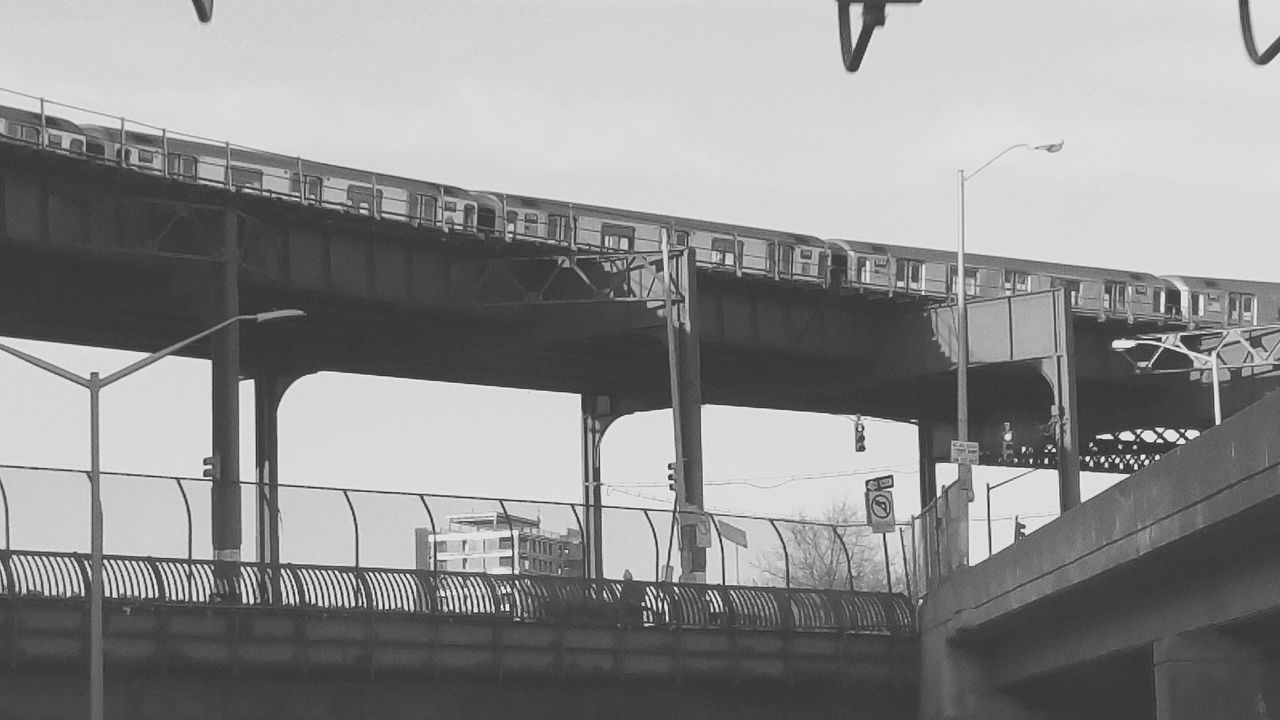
{"points": [[36, 575]]}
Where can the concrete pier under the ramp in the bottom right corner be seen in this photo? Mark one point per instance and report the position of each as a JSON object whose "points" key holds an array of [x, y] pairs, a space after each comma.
{"points": [[1206, 675]]}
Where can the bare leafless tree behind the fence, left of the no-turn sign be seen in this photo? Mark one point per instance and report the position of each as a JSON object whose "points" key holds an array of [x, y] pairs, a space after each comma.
{"points": [[817, 546]]}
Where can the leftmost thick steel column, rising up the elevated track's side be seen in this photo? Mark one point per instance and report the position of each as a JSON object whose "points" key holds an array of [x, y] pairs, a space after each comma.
{"points": [[225, 354]]}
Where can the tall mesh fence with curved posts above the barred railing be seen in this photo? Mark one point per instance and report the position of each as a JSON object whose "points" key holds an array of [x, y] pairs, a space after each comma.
{"points": [[152, 516]]}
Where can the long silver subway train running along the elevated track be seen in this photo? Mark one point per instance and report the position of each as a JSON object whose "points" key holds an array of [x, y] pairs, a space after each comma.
{"points": [[844, 266]]}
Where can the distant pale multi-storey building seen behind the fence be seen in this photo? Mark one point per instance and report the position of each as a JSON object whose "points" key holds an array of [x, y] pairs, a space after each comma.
{"points": [[500, 544]]}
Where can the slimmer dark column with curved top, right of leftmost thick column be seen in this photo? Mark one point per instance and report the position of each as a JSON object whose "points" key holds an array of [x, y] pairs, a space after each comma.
{"points": [[268, 393]]}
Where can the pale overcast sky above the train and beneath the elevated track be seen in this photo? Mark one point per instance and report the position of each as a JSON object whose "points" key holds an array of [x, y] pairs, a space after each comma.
{"points": [[730, 111]]}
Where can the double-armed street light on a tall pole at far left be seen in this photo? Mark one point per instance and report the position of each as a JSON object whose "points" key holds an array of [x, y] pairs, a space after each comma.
{"points": [[95, 384]]}
